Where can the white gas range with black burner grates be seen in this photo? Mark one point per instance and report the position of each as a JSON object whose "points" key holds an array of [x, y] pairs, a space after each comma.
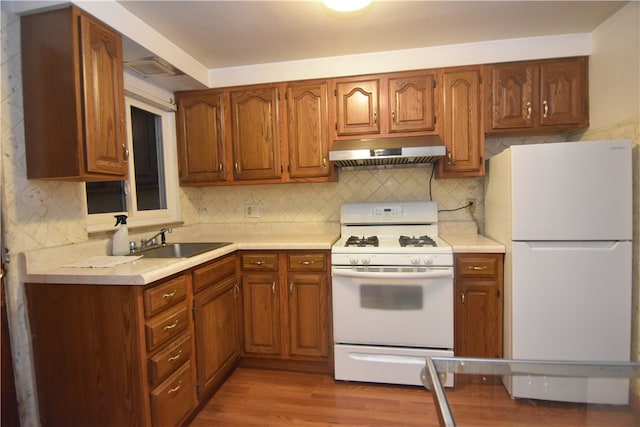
{"points": [[392, 282]]}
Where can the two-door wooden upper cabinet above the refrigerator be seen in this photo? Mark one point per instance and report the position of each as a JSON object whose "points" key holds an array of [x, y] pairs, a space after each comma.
{"points": [[538, 96]]}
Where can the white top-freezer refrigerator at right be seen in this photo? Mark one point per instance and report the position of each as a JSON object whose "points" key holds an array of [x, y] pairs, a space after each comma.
{"points": [[564, 213]]}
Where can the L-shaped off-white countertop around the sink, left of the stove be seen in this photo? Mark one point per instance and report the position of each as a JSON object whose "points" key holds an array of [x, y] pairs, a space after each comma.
{"points": [[47, 265]]}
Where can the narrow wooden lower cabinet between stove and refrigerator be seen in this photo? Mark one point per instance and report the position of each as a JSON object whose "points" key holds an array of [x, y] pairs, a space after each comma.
{"points": [[478, 304]]}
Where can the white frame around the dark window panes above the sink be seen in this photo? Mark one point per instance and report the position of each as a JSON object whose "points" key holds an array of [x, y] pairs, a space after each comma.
{"points": [[135, 218]]}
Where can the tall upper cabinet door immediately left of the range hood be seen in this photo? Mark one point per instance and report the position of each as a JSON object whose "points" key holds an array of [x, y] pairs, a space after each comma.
{"points": [[307, 108]]}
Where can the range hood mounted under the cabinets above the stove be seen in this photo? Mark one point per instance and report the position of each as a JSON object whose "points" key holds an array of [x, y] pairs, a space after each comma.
{"points": [[401, 151]]}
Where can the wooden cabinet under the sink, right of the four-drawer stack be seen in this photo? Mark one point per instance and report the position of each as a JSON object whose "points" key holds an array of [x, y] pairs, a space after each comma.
{"points": [[217, 313]]}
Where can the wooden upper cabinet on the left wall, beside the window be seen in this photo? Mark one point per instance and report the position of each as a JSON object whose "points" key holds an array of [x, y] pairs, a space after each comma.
{"points": [[73, 97]]}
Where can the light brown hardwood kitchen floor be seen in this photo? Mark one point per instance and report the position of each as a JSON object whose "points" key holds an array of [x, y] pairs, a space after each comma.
{"points": [[253, 397]]}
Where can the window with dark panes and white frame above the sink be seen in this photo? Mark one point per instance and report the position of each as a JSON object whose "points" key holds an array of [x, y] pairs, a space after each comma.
{"points": [[150, 196]]}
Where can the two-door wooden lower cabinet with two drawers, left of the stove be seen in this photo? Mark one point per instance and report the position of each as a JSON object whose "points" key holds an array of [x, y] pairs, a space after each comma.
{"points": [[286, 309]]}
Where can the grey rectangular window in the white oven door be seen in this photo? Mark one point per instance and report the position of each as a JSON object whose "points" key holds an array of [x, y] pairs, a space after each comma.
{"points": [[391, 297]]}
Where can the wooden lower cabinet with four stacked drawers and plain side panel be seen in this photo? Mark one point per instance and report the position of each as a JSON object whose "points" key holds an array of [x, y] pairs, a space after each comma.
{"points": [[99, 359]]}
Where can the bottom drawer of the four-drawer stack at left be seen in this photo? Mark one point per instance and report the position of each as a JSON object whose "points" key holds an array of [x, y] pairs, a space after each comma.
{"points": [[174, 399]]}
